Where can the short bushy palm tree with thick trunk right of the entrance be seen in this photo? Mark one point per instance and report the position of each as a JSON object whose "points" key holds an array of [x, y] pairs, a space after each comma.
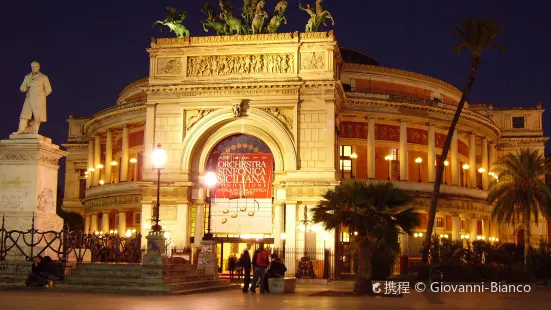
{"points": [[378, 212]]}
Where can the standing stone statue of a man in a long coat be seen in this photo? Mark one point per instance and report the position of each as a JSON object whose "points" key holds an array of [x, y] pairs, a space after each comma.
{"points": [[37, 86]]}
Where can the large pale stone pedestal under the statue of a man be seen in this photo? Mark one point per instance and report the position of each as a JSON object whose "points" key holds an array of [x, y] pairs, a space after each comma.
{"points": [[28, 183]]}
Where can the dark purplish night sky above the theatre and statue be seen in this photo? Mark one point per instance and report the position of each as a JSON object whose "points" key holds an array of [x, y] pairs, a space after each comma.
{"points": [[91, 50]]}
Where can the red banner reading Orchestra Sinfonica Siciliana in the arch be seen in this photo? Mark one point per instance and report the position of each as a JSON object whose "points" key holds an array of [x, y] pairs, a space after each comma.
{"points": [[244, 175]]}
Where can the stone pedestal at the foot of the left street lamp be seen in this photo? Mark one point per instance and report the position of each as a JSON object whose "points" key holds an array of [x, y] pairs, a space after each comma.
{"points": [[155, 260]]}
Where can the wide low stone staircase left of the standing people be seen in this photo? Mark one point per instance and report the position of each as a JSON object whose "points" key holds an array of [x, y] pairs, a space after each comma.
{"points": [[128, 278]]}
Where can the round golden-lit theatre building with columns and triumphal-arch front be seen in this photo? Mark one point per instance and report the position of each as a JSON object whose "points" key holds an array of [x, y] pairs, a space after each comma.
{"points": [[280, 119]]}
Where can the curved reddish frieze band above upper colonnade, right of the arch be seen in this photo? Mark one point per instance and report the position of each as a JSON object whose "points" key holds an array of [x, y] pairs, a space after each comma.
{"points": [[468, 115]]}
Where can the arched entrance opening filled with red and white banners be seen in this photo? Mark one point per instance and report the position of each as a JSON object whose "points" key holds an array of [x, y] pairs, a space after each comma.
{"points": [[241, 202]]}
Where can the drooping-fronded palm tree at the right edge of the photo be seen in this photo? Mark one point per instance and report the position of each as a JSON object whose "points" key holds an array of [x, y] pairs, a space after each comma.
{"points": [[520, 191]]}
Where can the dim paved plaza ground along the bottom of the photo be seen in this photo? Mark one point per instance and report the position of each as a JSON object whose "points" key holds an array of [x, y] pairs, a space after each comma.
{"points": [[45, 299]]}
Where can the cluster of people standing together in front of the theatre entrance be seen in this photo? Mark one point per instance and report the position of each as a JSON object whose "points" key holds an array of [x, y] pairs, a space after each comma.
{"points": [[262, 268]]}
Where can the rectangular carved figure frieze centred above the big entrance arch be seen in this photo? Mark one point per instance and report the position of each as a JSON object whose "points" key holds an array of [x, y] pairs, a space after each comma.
{"points": [[209, 66]]}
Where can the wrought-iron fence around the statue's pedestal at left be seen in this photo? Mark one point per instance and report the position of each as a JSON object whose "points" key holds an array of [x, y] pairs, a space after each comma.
{"points": [[64, 244]]}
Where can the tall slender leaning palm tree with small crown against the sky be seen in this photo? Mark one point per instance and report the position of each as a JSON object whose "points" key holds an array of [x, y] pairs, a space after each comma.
{"points": [[477, 36]]}
